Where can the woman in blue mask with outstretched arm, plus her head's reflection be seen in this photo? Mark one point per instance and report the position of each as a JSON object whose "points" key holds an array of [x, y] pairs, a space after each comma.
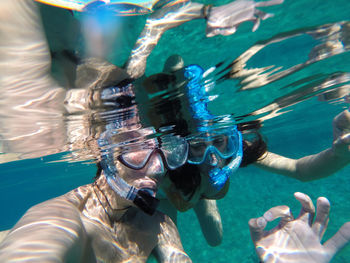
{"points": [[212, 152]]}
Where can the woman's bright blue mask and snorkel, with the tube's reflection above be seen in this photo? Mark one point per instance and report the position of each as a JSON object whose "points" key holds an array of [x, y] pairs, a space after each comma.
{"points": [[200, 151]]}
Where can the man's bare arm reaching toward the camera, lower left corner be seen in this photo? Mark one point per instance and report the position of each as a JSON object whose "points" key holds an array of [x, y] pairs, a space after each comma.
{"points": [[49, 232]]}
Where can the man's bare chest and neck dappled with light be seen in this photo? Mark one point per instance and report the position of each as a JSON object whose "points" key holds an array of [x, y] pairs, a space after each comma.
{"points": [[130, 238]]}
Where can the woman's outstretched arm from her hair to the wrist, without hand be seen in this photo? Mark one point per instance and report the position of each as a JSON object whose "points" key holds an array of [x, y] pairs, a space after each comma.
{"points": [[308, 168]]}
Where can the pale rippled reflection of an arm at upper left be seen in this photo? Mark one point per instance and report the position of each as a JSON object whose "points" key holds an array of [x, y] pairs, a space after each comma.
{"points": [[33, 125]]}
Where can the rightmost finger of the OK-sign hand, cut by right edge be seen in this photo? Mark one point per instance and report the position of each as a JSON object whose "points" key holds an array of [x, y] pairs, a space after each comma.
{"points": [[339, 240]]}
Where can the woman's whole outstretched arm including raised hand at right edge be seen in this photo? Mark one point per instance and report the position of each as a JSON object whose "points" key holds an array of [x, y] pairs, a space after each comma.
{"points": [[318, 165]]}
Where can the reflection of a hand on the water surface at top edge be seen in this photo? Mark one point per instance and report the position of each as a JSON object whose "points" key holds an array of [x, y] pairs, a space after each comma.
{"points": [[224, 20]]}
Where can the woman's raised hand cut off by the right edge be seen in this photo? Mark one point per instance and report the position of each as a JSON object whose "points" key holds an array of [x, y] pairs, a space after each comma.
{"points": [[341, 134]]}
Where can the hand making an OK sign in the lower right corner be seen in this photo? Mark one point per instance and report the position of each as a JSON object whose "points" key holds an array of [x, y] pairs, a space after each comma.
{"points": [[297, 240]]}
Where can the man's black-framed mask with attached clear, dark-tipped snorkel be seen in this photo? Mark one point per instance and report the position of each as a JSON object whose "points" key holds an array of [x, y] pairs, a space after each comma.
{"points": [[173, 151]]}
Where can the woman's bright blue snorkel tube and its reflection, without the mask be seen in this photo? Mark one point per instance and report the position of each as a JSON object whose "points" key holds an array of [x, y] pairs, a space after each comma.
{"points": [[197, 96]]}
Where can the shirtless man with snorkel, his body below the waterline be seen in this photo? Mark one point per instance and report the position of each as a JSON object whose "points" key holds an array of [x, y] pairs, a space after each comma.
{"points": [[95, 223]]}
